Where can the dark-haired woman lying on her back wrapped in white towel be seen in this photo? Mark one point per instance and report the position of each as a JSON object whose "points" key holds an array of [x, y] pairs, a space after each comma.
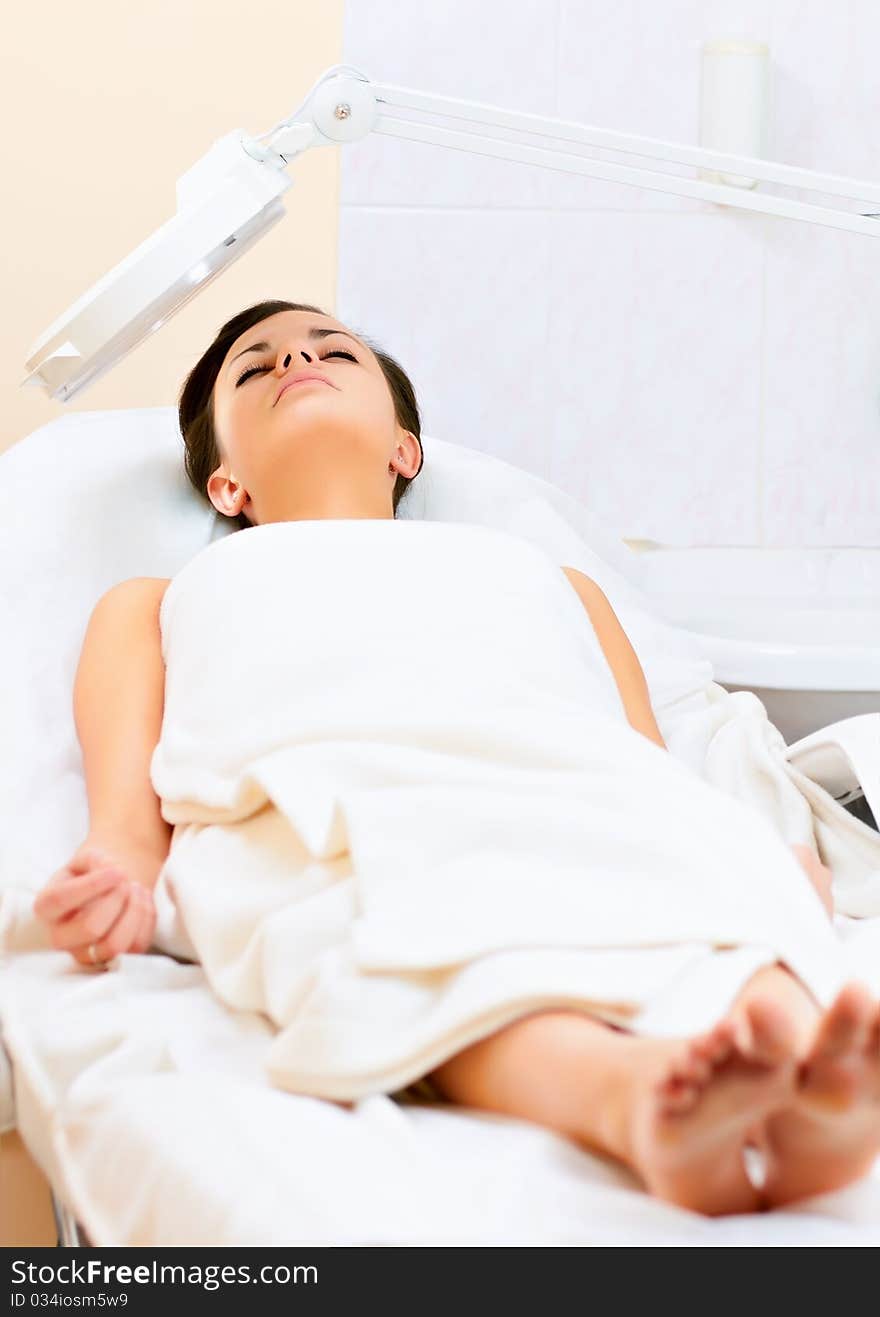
{"points": [[404, 784]]}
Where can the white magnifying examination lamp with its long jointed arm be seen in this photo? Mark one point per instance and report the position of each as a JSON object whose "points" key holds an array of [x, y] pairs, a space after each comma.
{"points": [[233, 197]]}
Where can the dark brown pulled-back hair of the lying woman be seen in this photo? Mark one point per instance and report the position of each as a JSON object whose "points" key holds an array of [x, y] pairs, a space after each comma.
{"points": [[196, 404]]}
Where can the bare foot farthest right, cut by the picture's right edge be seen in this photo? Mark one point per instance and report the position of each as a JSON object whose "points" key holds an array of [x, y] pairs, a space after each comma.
{"points": [[831, 1136]]}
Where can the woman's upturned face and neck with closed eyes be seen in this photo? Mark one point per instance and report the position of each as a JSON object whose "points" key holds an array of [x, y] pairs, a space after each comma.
{"points": [[317, 450]]}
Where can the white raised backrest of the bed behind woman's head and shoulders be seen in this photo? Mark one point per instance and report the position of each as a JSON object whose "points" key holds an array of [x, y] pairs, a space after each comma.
{"points": [[94, 498]]}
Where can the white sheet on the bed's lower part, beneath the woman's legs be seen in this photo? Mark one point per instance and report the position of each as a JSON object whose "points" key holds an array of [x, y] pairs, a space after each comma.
{"points": [[144, 1100]]}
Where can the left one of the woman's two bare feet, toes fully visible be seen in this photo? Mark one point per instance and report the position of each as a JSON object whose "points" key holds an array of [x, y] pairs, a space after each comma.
{"points": [[691, 1128]]}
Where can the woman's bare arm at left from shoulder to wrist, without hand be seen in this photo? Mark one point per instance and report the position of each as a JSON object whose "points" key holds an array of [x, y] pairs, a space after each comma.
{"points": [[119, 699]]}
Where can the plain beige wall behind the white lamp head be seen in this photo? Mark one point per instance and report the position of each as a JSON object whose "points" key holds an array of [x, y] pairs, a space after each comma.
{"points": [[105, 107]]}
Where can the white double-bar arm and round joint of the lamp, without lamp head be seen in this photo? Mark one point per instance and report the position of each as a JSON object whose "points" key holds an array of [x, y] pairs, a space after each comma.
{"points": [[347, 106]]}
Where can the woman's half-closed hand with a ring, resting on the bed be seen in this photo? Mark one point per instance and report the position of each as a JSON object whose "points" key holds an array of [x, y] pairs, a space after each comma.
{"points": [[103, 899]]}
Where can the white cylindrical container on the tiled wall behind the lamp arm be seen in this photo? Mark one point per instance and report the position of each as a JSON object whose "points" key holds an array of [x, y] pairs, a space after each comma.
{"points": [[734, 95]]}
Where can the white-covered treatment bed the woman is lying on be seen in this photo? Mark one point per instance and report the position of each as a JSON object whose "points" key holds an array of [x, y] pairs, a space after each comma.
{"points": [[142, 1098]]}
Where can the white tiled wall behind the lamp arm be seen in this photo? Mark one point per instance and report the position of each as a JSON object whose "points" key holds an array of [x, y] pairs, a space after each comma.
{"points": [[692, 373]]}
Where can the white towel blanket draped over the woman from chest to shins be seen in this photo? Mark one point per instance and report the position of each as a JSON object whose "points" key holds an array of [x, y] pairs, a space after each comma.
{"points": [[409, 809]]}
